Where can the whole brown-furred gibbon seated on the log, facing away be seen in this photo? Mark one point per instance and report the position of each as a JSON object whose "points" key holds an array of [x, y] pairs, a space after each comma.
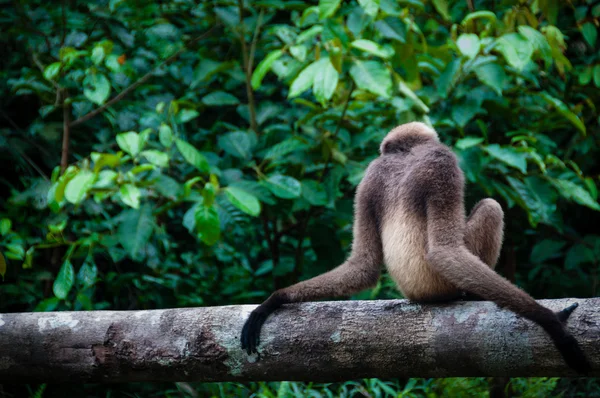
{"points": [[409, 215]]}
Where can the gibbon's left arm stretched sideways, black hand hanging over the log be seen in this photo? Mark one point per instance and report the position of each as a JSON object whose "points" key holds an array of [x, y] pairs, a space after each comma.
{"points": [[359, 272]]}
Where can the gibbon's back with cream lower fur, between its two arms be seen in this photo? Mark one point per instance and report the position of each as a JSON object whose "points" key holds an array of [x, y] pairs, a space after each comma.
{"points": [[403, 225]]}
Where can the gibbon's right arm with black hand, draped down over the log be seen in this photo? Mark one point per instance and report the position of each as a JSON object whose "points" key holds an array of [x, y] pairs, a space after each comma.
{"points": [[448, 255]]}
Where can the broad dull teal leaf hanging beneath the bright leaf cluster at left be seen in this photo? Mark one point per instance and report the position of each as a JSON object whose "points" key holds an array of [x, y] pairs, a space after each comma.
{"points": [[135, 230]]}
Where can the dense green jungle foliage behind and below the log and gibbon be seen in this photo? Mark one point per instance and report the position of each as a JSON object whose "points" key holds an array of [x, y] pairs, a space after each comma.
{"points": [[183, 153]]}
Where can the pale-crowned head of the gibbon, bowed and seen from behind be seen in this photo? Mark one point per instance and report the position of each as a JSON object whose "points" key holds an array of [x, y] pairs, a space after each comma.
{"points": [[406, 136]]}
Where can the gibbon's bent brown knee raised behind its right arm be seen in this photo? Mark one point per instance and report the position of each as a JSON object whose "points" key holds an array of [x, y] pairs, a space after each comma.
{"points": [[484, 230]]}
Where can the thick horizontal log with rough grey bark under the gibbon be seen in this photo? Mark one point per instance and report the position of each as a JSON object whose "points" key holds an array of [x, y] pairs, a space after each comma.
{"points": [[326, 341]]}
